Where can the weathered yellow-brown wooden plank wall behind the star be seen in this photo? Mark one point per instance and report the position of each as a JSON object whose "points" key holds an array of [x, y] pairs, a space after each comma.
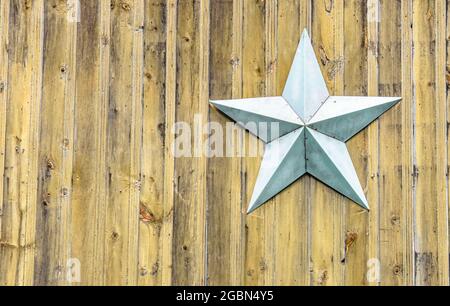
{"points": [[87, 171]]}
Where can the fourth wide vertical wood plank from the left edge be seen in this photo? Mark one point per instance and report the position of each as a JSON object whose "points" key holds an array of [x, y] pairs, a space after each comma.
{"points": [[124, 149]]}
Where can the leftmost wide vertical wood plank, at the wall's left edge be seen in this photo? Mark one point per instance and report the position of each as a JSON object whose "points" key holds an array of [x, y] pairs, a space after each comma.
{"points": [[17, 247]]}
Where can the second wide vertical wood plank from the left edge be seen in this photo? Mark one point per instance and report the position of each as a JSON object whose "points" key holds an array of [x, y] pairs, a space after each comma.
{"points": [[56, 146]]}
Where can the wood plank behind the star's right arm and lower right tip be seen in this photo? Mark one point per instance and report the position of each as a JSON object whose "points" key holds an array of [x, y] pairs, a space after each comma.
{"points": [[355, 84]]}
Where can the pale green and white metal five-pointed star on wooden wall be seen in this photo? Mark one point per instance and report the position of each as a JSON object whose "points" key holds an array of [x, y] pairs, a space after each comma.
{"points": [[312, 130]]}
